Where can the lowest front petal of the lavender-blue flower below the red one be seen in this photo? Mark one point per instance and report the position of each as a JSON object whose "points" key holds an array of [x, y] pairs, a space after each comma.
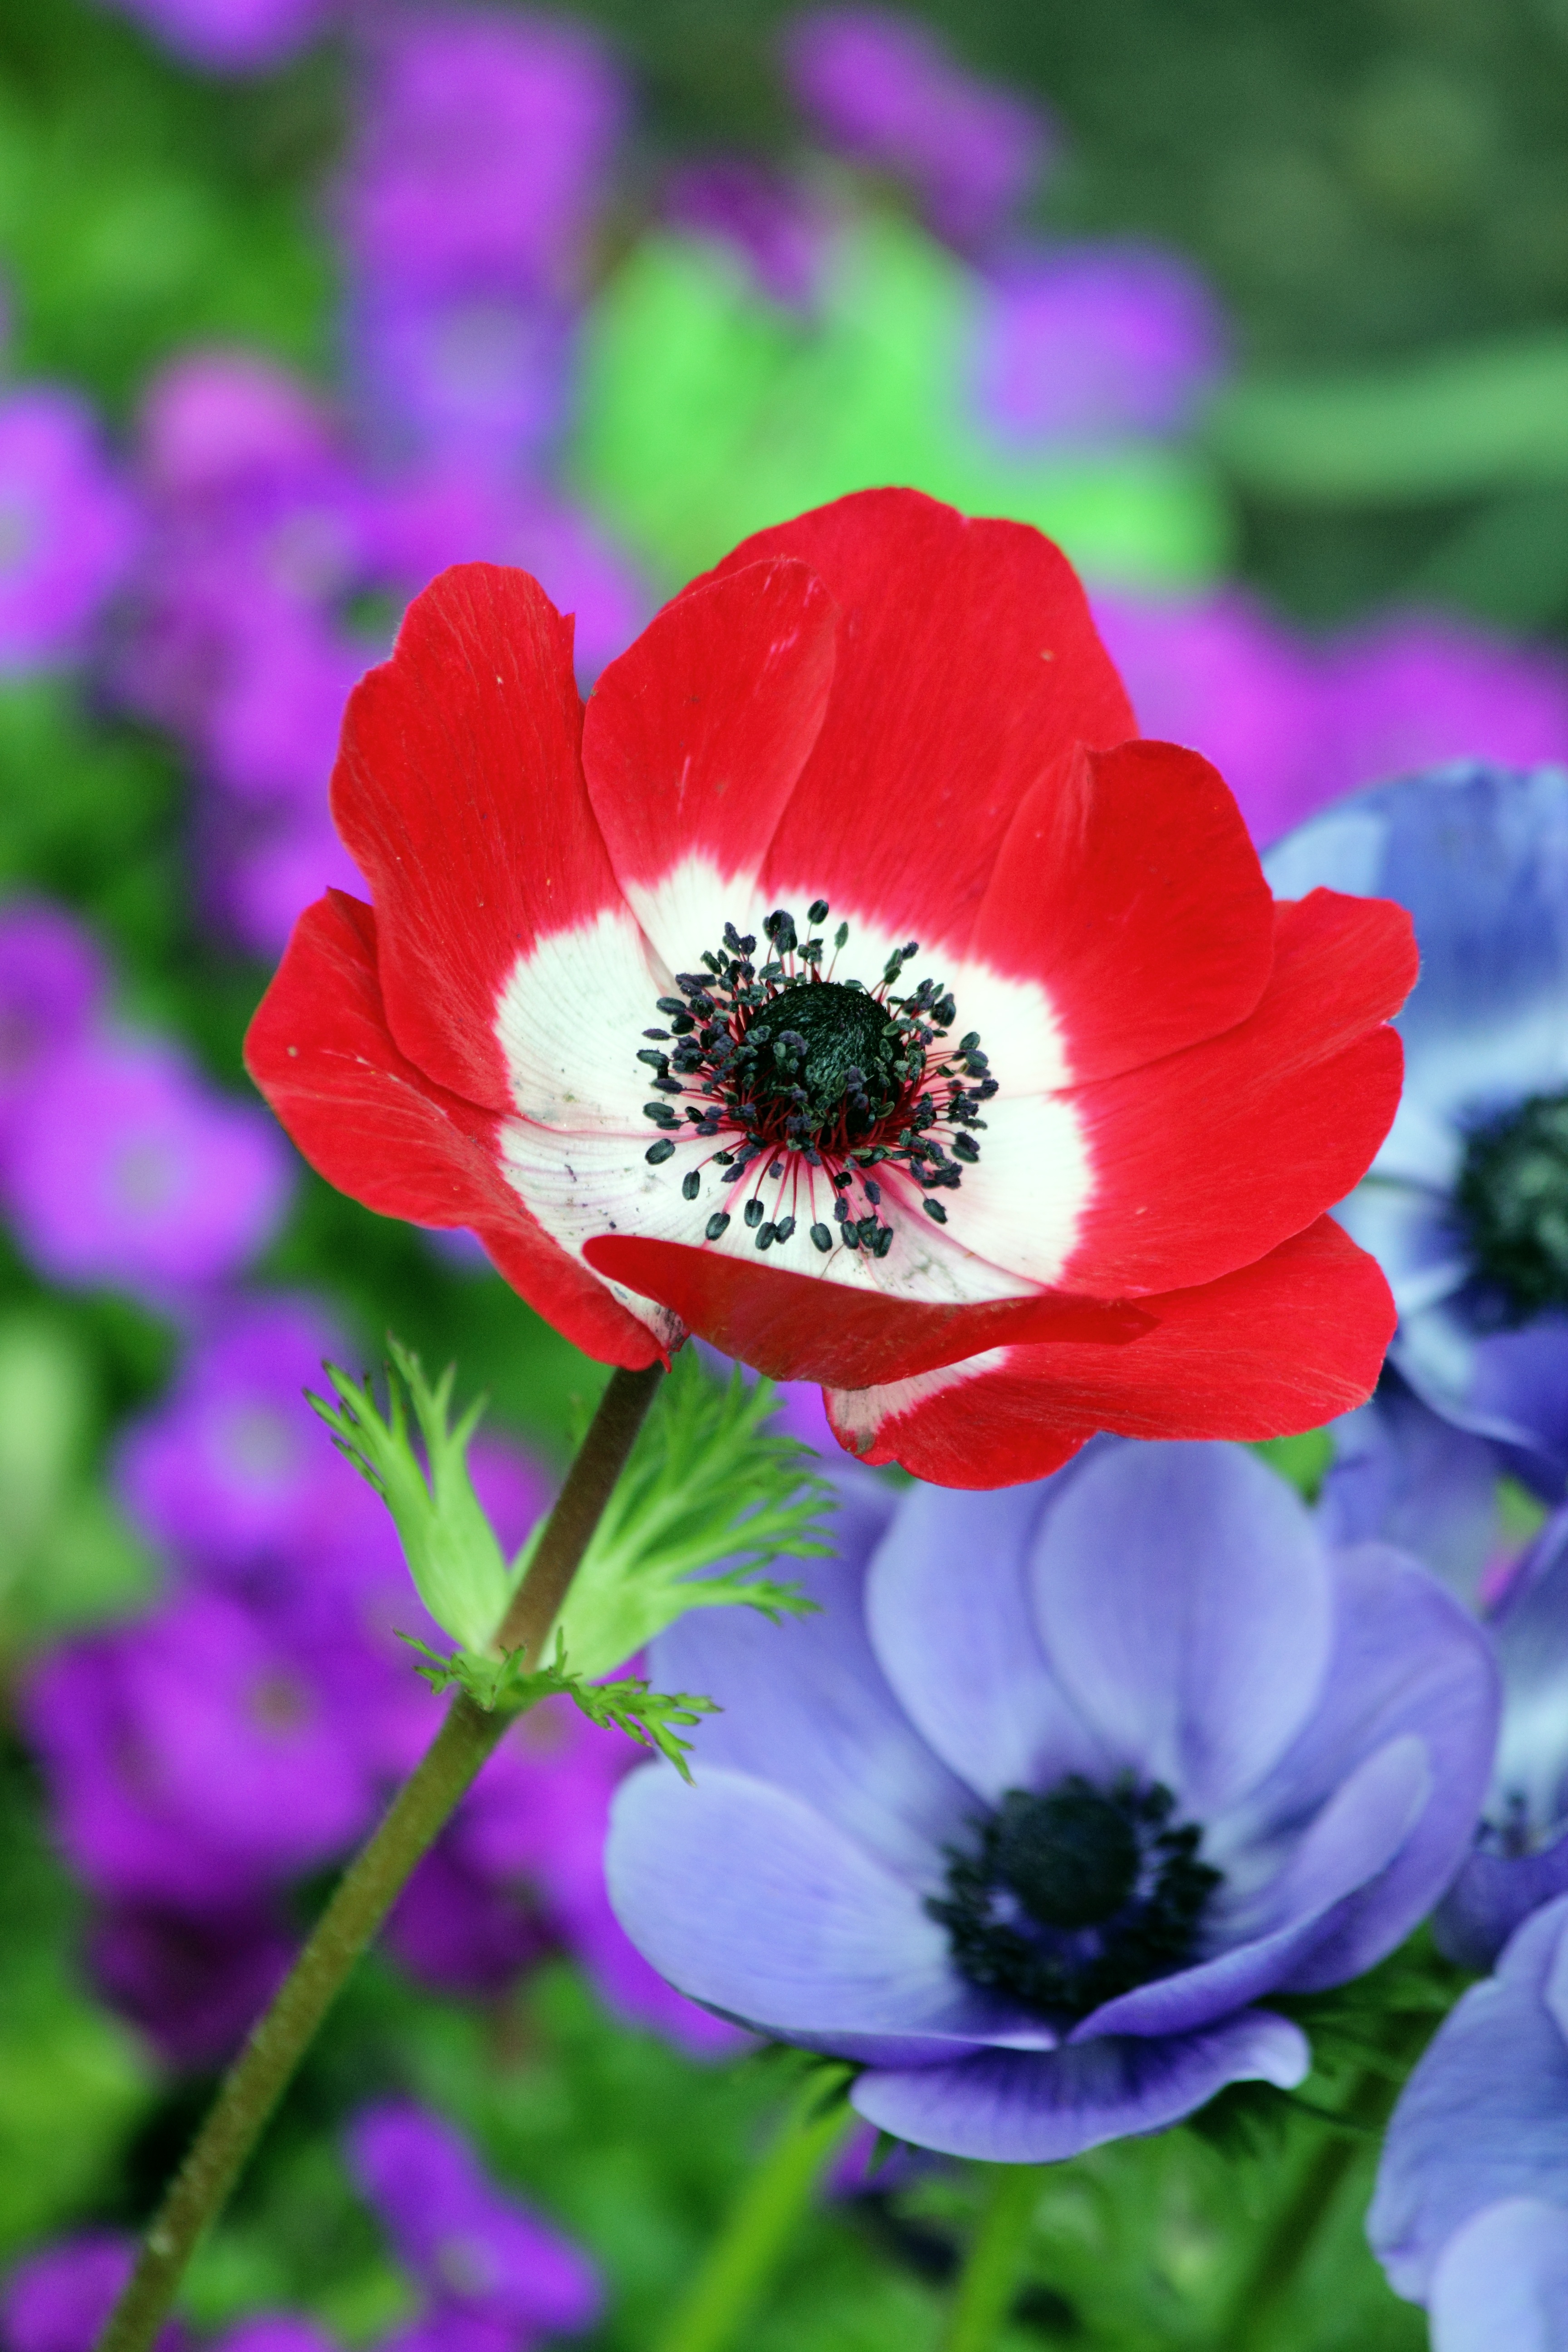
{"points": [[1038, 2109]]}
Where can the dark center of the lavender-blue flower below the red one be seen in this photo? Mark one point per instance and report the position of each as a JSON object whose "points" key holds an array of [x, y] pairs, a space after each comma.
{"points": [[1068, 1899]]}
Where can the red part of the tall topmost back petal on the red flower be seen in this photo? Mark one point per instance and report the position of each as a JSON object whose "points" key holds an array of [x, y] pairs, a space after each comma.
{"points": [[967, 671]]}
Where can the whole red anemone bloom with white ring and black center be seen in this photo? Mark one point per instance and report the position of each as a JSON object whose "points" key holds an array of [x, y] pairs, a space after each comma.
{"points": [[847, 984]]}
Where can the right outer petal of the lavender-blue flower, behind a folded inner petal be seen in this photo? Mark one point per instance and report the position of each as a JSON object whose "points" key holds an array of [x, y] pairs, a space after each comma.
{"points": [[1407, 1662]]}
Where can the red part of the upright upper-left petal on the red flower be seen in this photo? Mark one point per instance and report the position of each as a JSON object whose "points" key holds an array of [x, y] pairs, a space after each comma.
{"points": [[462, 801]]}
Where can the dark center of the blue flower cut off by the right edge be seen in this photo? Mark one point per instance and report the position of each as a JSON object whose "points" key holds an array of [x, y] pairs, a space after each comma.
{"points": [[1513, 1203]]}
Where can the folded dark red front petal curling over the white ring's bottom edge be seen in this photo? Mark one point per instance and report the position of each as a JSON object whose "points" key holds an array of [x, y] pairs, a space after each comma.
{"points": [[803, 1328]]}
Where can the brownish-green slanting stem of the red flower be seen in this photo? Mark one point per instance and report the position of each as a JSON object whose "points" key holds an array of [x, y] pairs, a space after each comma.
{"points": [[373, 1885]]}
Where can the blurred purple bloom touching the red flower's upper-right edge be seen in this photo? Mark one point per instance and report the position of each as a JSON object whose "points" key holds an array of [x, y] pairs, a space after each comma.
{"points": [[1226, 679]]}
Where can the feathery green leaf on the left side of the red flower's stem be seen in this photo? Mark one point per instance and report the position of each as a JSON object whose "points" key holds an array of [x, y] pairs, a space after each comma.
{"points": [[455, 1561]]}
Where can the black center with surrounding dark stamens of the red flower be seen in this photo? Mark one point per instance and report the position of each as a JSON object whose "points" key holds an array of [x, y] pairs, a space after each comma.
{"points": [[817, 1083]]}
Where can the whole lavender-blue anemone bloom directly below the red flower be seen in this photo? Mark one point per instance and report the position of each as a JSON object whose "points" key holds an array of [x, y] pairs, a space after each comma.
{"points": [[1061, 1784]]}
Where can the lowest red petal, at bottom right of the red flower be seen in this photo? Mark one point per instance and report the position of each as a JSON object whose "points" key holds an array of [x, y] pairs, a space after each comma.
{"points": [[1273, 1349]]}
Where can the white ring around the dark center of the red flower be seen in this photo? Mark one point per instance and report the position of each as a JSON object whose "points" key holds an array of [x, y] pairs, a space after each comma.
{"points": [[570, 1024]]}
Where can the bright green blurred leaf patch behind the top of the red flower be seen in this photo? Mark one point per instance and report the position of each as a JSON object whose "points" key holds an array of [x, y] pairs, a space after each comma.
{"points": [[709, 413]]}
